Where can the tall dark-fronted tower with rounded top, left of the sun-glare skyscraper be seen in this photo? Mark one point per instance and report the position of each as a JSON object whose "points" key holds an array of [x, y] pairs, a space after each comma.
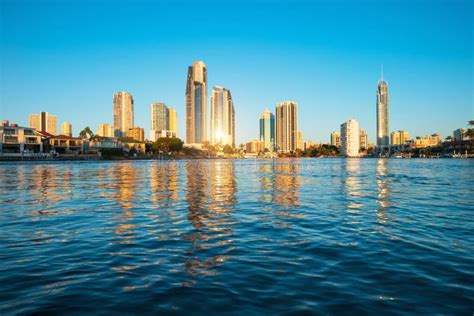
{"points": [[196, 101]]}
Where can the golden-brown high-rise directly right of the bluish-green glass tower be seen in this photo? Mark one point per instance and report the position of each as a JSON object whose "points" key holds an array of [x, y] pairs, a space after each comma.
{"points": [[286, 126]]}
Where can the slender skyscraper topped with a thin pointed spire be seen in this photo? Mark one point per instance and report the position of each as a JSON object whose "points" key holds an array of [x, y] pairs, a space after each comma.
{"points": [[383, 140]]}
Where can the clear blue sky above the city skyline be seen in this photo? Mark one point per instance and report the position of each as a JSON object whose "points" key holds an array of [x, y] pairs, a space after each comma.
{"points": [[69, 57]]}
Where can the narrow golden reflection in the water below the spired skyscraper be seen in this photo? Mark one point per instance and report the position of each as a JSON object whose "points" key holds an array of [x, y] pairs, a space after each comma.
{"points": [[383, 191]]}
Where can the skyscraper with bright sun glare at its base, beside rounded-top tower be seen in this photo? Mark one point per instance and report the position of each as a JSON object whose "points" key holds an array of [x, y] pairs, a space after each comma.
{"points": [[222, 117]]}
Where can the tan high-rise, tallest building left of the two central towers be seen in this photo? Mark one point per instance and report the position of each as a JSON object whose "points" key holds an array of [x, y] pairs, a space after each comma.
{"points": [[123, 113]]}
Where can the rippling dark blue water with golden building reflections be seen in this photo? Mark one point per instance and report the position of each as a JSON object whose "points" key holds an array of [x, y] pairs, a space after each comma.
{"points": [[321, 236]]}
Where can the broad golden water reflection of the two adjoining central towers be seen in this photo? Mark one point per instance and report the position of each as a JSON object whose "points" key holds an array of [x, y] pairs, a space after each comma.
{"points": [[211, 199]]}
